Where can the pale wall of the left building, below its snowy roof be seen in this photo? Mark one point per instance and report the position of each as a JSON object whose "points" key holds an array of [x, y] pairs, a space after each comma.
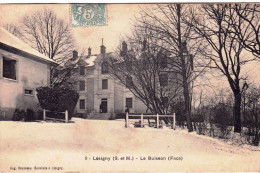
{"points": [[30, 74]]}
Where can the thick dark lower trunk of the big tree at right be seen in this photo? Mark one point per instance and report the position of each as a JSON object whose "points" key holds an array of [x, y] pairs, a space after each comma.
{"points": [[237, 113]]}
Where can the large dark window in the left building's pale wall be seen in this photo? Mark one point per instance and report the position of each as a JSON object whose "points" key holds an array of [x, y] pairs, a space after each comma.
{"points": [[9, 68]]}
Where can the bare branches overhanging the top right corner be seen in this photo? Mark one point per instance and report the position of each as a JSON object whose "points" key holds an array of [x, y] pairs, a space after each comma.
{"points": [[247, 26]]}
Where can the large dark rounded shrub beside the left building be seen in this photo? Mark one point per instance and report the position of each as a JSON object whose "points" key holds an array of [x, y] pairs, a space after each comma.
{"points": [[58, 99]]}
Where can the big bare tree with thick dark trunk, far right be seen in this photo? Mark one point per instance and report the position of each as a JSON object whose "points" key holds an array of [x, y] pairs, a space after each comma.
{"points": [[225, 51]]}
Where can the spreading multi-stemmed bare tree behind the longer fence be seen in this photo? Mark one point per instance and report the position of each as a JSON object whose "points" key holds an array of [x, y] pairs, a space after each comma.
{"points": [[141, 68]]}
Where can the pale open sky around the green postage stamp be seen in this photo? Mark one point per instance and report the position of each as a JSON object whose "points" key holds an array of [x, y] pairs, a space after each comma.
{"points": [[119, 17]]}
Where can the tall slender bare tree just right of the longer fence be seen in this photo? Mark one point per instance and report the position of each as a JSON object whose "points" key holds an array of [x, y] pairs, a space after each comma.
{"points": [[168, 22]]}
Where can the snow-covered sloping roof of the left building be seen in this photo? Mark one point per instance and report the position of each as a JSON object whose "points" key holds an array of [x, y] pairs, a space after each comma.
{"points": [[13, 41]]}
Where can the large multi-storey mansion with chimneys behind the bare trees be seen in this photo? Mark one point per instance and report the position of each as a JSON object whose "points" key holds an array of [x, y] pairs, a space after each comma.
{"points": [[102, 96]]}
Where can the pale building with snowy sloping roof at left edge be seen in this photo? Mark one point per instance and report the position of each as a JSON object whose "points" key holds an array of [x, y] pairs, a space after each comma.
{"points": [[22, 70]]}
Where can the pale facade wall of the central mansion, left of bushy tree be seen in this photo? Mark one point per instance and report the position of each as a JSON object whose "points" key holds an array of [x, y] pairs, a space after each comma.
{"points": [[116, 93]]}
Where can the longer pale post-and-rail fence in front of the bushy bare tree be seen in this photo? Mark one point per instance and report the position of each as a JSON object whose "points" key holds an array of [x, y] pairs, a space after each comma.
{"points": [[173, 125]]}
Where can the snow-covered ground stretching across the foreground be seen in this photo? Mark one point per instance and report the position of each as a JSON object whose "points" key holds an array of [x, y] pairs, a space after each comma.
{"points": [[41, 146]]}
